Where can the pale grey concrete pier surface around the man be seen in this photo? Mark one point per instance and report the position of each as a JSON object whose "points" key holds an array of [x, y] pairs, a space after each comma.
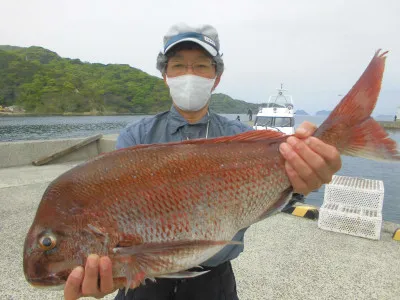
{"points": [[285, 257]]}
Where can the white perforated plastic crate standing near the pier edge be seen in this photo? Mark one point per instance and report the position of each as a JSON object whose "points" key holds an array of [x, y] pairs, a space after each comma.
{"points": [[353, 206]]}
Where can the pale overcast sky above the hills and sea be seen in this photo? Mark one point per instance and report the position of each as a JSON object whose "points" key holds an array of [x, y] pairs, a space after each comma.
{"points": [[317, 48]]}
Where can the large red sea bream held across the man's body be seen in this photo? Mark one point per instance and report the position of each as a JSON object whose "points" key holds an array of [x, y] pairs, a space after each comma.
{"points": [[157, 210]]}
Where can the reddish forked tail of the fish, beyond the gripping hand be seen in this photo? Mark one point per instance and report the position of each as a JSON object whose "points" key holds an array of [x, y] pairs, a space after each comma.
{"points": [[350, 127]]}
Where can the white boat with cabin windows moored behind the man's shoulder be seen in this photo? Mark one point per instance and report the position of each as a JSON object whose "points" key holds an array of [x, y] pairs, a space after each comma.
{"points": [[278, 114]]}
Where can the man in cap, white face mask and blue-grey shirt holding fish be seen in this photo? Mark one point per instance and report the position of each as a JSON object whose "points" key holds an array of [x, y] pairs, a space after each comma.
{"points": [[191, 66]]}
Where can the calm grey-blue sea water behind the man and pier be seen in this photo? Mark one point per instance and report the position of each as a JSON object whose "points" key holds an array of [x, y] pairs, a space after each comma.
{"points": [[53, 127]]}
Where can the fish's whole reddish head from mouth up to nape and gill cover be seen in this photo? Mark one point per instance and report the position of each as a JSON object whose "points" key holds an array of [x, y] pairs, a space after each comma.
{"points": [[61, 235]]}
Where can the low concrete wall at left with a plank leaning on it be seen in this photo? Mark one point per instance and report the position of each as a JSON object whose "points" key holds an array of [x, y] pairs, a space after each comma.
{"points": [[23, 153]]}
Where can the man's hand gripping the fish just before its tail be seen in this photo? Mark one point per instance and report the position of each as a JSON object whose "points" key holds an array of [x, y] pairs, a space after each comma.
{"points": [[309, 161]]}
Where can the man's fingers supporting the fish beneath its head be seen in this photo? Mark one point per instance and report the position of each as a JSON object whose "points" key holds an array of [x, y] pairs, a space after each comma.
{"points": [[85, 282]]}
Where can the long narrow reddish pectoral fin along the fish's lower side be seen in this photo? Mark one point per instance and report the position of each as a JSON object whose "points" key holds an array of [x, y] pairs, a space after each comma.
{"points": [[148, 248]]}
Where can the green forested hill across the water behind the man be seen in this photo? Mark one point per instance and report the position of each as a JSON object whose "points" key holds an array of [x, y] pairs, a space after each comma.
{"points": [[42, 82]]}
